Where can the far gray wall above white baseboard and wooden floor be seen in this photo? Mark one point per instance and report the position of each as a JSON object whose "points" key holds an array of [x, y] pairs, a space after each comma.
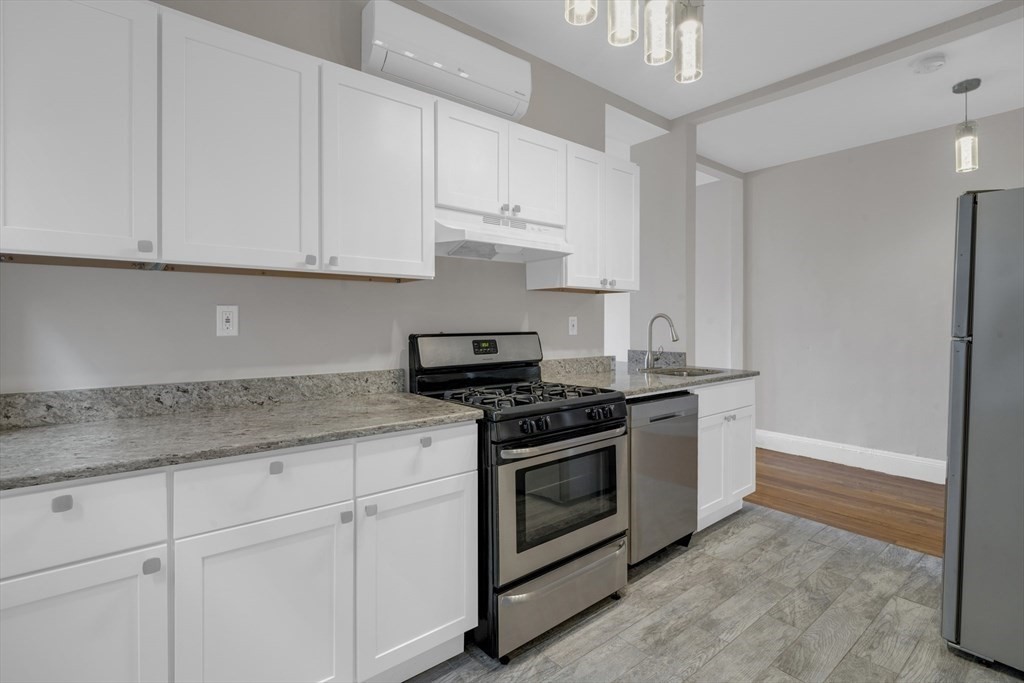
{"points": [[849, 286]]}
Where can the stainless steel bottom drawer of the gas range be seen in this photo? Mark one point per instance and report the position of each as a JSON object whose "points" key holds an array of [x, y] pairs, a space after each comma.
{"points": [[538, 606]]}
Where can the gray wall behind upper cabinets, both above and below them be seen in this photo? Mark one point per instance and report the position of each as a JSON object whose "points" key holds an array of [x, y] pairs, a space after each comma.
{"points": [[66, 328]]}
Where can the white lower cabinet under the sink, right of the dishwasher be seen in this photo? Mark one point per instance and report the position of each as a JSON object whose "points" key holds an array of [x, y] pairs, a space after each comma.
{"points": [[726, 450]]}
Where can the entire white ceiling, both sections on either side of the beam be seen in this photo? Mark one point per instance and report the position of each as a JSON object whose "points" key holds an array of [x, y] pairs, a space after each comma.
{"points": [[750, 45]]}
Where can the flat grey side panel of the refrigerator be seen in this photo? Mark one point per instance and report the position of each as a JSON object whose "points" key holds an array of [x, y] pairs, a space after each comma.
{"points": [[993, 565]]}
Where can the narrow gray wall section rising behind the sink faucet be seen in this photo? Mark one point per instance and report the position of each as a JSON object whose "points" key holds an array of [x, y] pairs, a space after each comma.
{"points": [[668, 167]]}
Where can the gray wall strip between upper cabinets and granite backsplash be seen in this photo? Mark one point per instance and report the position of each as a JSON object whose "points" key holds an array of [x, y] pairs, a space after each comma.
{"points": [[65, 328]]}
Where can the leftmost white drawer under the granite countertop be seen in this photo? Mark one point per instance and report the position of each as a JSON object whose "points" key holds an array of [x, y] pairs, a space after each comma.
{"points": [[48, 529]]}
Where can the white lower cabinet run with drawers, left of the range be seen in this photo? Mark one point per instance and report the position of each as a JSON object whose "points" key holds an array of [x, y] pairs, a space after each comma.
{"points": [[338, 563]]}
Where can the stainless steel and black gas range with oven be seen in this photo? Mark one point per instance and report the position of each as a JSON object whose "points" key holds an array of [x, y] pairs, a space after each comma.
{"points": [[554, 506]]}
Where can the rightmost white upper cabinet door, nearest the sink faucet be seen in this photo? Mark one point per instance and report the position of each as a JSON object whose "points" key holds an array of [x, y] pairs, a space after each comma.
{"points": [[622, 226]]}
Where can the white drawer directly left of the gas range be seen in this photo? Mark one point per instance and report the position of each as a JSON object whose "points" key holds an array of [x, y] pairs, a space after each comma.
{"points": [[414, 458]]}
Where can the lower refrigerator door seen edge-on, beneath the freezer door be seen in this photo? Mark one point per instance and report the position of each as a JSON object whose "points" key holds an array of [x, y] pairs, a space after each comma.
{"points": [[960, 378]]}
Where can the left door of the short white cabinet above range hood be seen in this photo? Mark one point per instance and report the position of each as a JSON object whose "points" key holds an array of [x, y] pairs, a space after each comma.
{"points": [[473, 160]]}
